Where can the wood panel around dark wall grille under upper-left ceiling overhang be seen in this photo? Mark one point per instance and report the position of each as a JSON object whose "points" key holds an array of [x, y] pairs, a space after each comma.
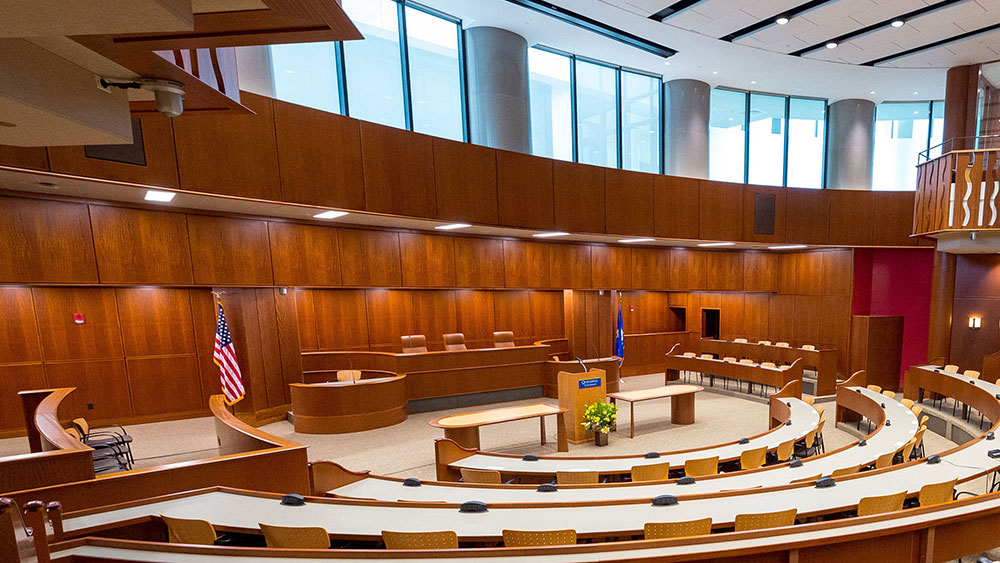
{"points": [[158, 146]]}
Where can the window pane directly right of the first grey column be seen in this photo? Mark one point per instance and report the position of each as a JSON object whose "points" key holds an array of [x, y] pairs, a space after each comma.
{"points": [[551, 110]]}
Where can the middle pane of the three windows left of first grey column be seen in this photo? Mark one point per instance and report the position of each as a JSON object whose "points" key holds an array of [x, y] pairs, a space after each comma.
{"points": [[373, 69]]}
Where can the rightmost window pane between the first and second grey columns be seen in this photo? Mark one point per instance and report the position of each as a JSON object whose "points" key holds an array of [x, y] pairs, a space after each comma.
{"points": [[640, 122]]}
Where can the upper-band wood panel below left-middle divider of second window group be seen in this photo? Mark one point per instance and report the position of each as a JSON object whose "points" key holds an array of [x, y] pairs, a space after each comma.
{"points": [[578, 194]]}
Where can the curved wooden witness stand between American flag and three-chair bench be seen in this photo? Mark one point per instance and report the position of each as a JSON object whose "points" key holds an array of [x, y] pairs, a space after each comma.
{"points": [[343, 406]]}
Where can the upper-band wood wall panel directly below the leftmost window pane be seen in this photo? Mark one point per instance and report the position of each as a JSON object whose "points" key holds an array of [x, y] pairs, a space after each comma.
{"points": [[319, 157]]}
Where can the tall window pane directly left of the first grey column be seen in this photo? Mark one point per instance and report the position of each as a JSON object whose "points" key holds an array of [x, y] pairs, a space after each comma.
{"points": [[435, 76]]}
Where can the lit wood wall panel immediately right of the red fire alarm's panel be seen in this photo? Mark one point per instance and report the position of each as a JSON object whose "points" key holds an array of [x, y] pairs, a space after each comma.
{"points": [[156, 321]]}
